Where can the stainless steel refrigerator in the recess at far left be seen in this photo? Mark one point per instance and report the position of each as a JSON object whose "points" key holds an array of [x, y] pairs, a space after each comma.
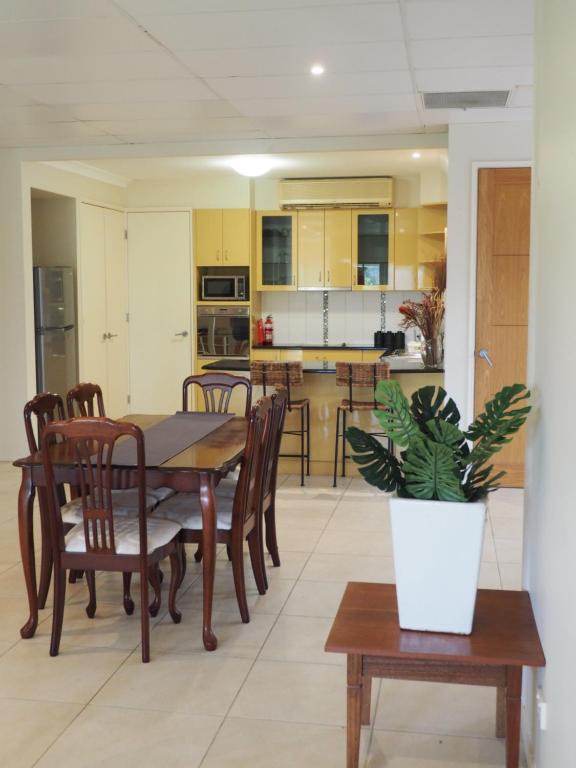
{"points": [[55, 321]]}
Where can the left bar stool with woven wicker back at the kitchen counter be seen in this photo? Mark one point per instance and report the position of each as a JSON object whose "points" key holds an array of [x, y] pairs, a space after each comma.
{"points": [[285, 376]]}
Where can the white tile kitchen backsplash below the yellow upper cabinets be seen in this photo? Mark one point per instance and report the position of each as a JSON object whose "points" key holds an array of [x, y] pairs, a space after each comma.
{"points": [[353, 316]]}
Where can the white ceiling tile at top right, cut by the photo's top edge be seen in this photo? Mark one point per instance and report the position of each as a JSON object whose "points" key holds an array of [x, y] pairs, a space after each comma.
{"points": [[468, 18]]}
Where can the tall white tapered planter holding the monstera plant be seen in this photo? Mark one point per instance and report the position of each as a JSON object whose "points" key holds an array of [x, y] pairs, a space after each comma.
{"points": [[437, 553]]}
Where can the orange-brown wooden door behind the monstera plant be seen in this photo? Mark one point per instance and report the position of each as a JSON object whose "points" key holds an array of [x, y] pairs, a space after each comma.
{"points": [[502, 295]]}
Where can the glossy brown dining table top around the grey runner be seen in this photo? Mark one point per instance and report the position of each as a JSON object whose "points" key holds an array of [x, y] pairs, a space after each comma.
{"points": [[216, 451]]}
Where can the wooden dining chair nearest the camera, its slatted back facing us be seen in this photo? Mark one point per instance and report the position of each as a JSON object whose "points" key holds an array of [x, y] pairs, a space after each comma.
{"points": [[104, 540]]}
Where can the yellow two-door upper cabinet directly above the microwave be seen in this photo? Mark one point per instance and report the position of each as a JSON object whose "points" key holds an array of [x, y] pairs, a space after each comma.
{"points": [[222, 237]]}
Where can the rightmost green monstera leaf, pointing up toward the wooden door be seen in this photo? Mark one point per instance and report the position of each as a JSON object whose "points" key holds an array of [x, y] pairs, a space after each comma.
{"points": [[493, 428]]}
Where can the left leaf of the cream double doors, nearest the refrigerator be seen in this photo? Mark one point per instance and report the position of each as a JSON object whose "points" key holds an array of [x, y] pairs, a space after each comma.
{"points": [[92, 330]]}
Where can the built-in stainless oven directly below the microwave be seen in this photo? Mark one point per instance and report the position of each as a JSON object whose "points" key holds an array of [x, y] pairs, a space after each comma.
{"points": [[223, 332]]}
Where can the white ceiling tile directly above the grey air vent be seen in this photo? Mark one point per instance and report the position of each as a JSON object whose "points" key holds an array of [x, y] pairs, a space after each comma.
{"points": [[473, 79]]}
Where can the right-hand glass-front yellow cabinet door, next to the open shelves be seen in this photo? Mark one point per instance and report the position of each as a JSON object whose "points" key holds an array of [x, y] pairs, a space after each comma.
{"points": [[372, 250]]}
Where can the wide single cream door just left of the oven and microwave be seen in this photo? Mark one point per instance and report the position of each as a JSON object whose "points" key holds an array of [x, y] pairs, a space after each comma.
{"points": [[159, 256]]}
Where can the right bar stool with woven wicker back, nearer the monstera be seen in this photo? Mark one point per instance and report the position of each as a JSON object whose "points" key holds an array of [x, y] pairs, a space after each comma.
{"points": [[357, 375]]}
